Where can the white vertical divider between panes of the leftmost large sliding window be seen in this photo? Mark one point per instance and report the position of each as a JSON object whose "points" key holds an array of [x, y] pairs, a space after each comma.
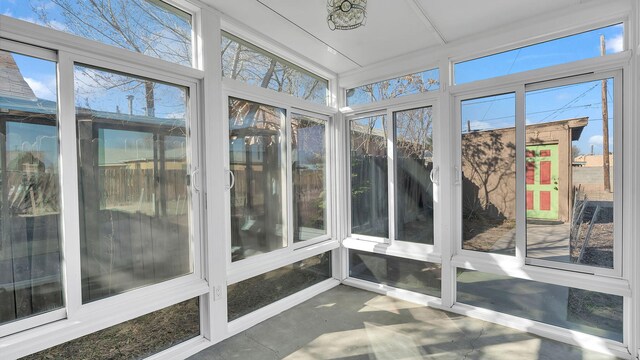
{"points": [[71, 268]]}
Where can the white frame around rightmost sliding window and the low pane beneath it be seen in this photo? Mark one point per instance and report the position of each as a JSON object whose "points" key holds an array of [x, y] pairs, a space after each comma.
{"points": [[616, 281]]}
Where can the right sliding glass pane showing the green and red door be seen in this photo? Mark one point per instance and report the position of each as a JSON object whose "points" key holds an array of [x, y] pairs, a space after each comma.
{"points": [[570, 178]]}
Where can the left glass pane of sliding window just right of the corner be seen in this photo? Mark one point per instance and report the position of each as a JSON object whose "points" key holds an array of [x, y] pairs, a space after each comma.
{"points": [[369, 189]]}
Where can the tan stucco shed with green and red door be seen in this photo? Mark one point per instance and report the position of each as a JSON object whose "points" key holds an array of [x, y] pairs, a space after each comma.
{"points": [[489, 167]]}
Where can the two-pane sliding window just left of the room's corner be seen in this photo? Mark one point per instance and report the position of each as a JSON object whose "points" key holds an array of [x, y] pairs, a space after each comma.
{"points": [[267, 151]]}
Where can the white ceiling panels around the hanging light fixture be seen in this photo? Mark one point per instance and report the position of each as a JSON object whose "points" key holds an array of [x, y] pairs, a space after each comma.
{"points": [[393, 27]]}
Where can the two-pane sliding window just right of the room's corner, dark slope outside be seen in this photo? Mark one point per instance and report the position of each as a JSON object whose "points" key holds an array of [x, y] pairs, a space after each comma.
{"points": [[408, 174]]}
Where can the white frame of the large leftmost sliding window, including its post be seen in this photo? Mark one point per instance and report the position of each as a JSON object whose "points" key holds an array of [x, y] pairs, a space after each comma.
{"points": [[78, 319]]}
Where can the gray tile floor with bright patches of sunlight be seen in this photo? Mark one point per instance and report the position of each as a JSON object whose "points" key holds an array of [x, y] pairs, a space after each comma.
{"points": [[349, 324]]}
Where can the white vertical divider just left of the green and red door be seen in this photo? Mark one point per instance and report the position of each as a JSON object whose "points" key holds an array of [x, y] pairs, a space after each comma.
{"points": [[521, 213]]}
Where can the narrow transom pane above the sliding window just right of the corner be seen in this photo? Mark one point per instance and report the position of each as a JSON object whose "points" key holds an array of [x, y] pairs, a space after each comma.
{"points": [[428, 80]]}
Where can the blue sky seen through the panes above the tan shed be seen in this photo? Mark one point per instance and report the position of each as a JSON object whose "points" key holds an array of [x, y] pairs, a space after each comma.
{"points": [[579, 100]]}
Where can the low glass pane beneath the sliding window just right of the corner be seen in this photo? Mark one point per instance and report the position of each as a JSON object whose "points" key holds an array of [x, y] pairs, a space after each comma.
{"points": [[406, 274]]}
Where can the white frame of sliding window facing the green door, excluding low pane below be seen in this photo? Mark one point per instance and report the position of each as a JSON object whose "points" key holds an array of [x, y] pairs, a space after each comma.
{"points": [[595, 69]]}
